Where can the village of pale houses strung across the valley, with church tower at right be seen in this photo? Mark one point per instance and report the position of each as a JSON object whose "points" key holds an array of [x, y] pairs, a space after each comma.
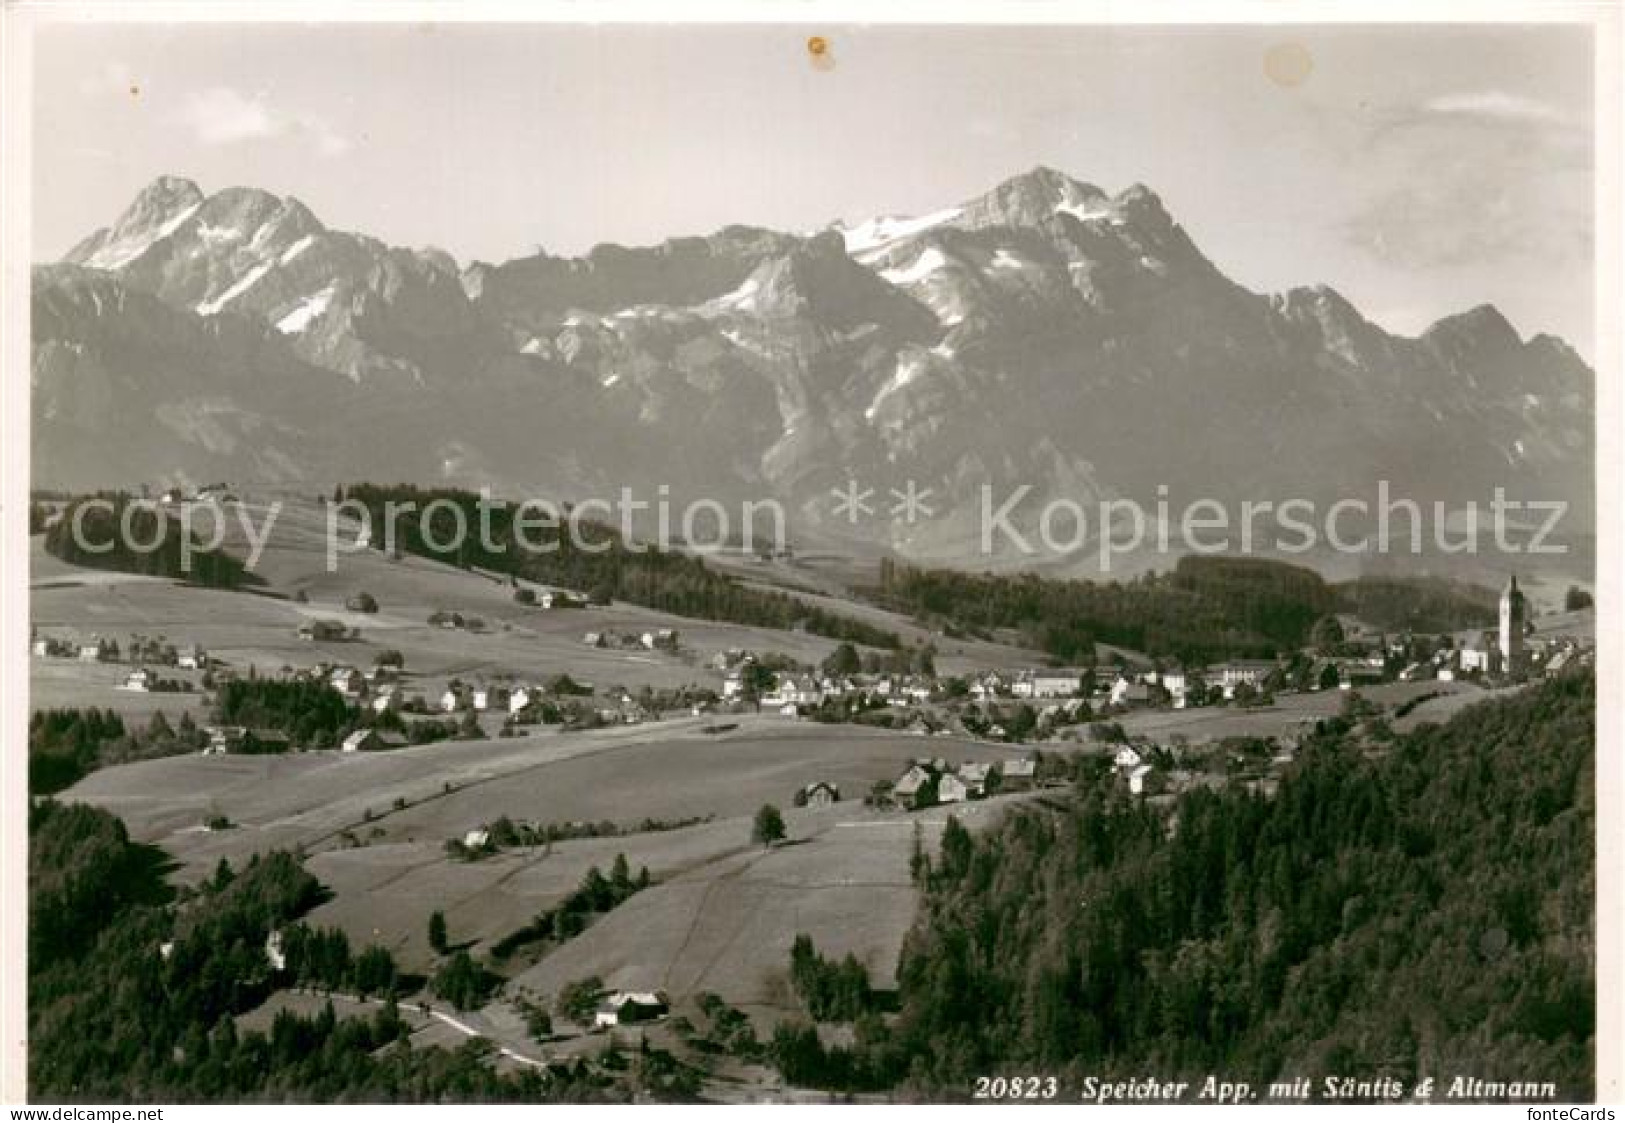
{"points": [[1051, 709]]}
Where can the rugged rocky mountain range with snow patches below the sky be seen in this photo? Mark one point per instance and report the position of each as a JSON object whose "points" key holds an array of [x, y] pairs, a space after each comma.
{"points": [[1046, 334]]}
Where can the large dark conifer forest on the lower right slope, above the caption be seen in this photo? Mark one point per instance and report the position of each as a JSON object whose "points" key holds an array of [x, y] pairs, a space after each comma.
{"points": [[1424, 909]]}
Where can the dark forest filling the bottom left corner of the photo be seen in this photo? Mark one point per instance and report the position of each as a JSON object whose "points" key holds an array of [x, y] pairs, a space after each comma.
{"points": [[136, 991]]}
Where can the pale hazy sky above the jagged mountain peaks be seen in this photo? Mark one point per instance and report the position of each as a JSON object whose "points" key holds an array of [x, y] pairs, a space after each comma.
{"points": [[1421, 171]]}
